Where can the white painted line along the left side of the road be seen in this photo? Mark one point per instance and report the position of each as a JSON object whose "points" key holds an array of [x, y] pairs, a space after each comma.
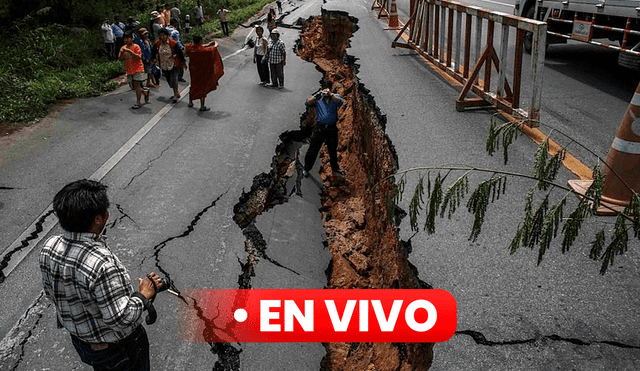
{"points": [[17, 255]]}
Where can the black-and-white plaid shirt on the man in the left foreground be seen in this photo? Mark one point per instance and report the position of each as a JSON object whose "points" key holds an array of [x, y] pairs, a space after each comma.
{"points": [[89, 287]]}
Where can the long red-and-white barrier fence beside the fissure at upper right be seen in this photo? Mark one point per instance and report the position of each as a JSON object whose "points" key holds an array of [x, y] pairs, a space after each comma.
{"points": [[435, 31]]}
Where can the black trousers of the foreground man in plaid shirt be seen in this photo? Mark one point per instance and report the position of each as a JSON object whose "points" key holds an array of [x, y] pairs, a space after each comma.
{"points": [[129, 354]]}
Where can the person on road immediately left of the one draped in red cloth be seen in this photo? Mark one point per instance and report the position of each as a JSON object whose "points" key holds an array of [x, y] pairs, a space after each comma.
{"points": [[171, 58]]}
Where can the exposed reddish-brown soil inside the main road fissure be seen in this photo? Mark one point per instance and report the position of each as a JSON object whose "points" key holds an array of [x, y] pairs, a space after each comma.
{"points": [[365, 247]]}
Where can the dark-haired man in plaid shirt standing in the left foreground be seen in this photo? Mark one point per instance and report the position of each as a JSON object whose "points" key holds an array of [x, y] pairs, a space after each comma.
{"points": [[90, 288]]}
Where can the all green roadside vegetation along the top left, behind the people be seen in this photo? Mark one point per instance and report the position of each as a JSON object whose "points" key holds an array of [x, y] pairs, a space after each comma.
{"points": [[53, 51]]}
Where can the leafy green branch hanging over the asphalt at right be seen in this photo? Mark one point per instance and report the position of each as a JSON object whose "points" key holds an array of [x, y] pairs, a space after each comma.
{"points": [[542, 222]]}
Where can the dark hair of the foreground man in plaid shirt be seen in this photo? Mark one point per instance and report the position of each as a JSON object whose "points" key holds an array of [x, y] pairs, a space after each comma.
{"points": [[79, 202]]}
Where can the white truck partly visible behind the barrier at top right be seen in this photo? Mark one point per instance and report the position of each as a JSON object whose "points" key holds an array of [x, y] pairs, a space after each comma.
{"points": [[611, 24]]}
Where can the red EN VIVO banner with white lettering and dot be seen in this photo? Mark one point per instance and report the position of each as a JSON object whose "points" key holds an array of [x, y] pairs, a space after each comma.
{"points": [[318, 316]]}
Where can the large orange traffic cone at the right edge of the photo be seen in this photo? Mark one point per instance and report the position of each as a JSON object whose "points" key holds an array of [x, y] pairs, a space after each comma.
{"points": [[622, 176]]}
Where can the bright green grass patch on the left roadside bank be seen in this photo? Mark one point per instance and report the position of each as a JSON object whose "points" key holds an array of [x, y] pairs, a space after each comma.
{"points": [[42, 66]]}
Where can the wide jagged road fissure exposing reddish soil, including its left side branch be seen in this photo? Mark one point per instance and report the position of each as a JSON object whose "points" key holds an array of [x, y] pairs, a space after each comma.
{"points": [[365, 248]]}
